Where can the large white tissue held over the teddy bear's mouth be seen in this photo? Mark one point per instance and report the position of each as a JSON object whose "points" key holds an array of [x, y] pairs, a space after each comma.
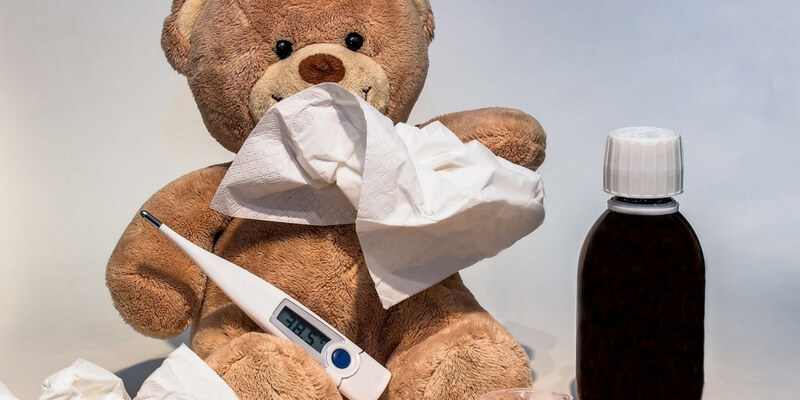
{"points": [[425, 204]]}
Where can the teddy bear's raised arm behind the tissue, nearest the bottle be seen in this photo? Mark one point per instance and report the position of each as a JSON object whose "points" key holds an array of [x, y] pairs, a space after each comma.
{"points": [[511, 134]]}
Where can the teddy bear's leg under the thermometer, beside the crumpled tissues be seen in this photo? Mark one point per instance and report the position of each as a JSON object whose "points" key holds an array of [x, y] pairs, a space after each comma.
{"points": [[260, 366]]}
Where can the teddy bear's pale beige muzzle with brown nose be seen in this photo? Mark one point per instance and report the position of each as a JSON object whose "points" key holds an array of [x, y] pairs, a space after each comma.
{"points": [[316, 64]]}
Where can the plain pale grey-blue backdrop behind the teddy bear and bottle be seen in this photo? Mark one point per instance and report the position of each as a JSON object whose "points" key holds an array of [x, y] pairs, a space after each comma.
{"points": [[93, 121]]}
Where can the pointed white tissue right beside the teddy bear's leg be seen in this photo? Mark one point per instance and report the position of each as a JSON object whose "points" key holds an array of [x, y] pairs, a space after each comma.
{"points": [[184, 376]]}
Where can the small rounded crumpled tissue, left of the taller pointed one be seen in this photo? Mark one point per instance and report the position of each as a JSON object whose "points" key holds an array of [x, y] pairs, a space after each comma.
{"points": [[83, 380]]}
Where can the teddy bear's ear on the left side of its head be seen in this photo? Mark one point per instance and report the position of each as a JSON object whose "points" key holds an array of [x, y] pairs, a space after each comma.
{"points": [[177, 31]]}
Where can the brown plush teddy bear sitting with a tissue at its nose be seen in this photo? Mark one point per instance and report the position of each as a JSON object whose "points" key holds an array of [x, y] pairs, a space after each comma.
{"points": [[240, 58]]}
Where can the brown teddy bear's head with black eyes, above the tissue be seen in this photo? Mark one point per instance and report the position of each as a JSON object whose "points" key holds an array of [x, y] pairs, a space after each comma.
{"points": [[241, 57]]}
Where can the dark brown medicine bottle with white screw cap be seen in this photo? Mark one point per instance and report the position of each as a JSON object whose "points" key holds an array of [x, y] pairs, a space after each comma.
{"points": [[641, 292]]}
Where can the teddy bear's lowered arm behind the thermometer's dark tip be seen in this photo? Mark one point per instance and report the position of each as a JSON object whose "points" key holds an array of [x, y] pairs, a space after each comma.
{"points": [[154, 286]]}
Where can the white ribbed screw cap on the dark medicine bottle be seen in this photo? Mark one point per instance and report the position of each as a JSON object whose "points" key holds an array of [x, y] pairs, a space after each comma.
{"points": [[643, 163]]}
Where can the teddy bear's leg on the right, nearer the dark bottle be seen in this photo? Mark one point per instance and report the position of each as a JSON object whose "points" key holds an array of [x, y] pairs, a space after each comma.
{"points": [[463, 361]]}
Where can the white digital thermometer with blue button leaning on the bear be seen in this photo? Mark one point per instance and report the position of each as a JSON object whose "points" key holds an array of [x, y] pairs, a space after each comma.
{"points": [[357, 375]]}
